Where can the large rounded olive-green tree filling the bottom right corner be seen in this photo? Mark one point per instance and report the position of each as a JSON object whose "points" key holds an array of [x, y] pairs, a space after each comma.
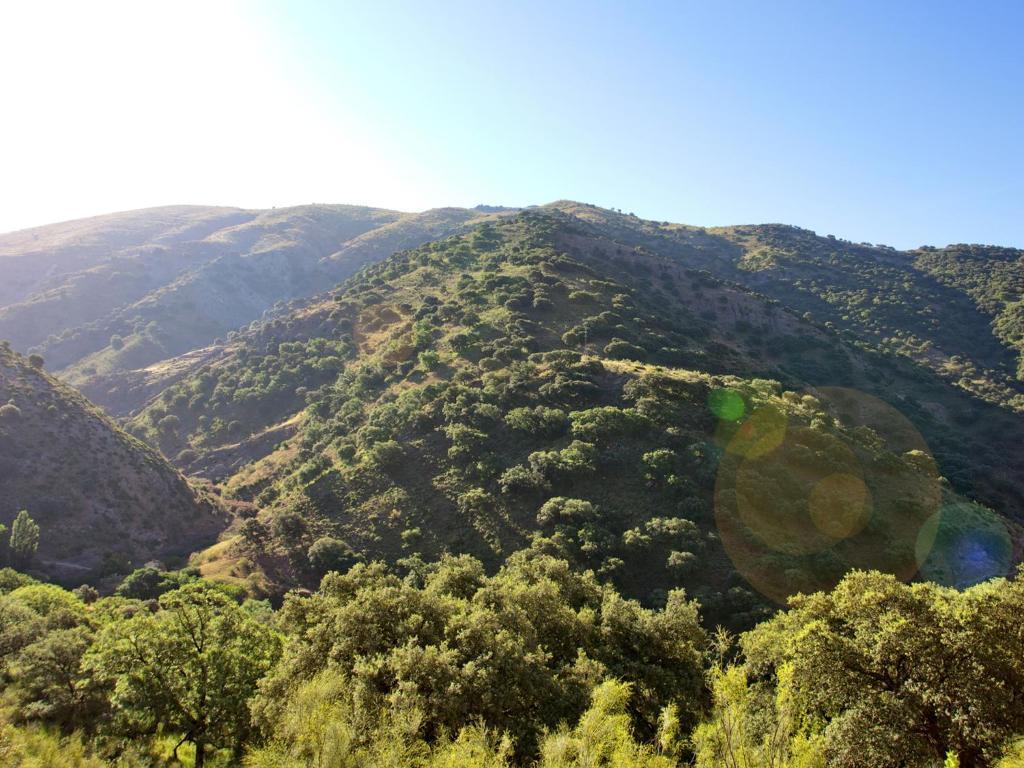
{"points": [[882, 674]]}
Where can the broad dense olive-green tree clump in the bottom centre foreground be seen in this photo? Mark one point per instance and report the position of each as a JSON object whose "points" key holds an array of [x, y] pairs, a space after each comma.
{"points": [[517, 654]]}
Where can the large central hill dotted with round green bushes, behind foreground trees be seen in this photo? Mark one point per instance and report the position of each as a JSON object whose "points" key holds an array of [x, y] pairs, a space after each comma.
{"points": [[548, 379]]}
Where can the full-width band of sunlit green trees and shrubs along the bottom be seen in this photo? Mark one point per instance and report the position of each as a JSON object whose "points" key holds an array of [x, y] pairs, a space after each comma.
{"points": [[537, 665]]}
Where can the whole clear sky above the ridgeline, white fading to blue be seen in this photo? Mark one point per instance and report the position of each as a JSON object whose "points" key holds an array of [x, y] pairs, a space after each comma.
{"points": [[899, 123]]}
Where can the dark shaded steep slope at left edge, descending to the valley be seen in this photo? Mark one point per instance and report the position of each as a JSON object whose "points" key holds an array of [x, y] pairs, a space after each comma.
{"points": [[100, 496]]}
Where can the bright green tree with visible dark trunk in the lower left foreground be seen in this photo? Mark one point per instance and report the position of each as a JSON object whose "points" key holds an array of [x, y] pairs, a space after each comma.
{"points": [[189, 669]]}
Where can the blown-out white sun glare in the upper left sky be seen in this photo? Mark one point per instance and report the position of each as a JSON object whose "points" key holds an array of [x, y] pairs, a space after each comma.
{"points": [[134, 105]]}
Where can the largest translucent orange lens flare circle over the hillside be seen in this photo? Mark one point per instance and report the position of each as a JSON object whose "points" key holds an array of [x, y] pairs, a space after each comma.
{"points": [[798, 506]]}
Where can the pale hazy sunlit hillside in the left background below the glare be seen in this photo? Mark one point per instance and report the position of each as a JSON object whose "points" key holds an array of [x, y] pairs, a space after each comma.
{"points": [[123, 293]]}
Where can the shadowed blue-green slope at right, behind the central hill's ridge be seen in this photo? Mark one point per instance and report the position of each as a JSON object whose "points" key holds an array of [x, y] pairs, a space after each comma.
{"points": [[897, 303]]}
